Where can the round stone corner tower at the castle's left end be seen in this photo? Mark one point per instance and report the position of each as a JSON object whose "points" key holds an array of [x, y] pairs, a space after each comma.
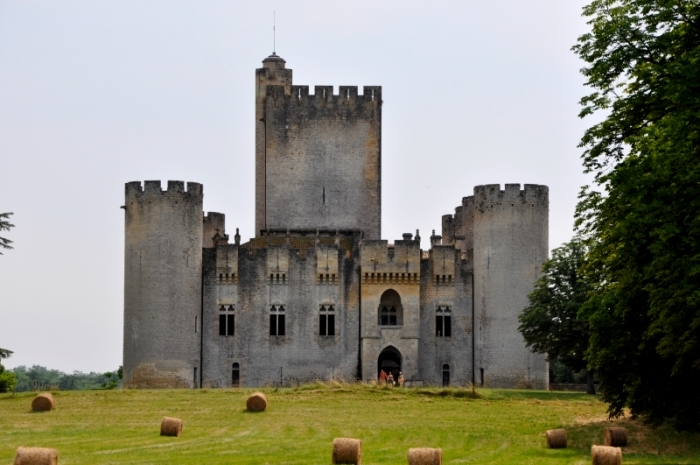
{"points": [[162, 284]]}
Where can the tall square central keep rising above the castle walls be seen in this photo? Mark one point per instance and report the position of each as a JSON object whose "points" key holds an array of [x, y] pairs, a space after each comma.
{"points": [[318, 157]]}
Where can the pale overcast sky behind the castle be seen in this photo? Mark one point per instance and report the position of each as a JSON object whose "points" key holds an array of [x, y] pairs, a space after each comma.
{"points": [[96, 94]]}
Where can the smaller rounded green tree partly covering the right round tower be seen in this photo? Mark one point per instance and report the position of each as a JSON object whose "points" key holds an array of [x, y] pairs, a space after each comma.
{"points": [[550, 324]]}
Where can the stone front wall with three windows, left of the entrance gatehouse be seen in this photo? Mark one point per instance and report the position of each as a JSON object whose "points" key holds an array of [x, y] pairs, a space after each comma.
{"points": [[282, 271]]}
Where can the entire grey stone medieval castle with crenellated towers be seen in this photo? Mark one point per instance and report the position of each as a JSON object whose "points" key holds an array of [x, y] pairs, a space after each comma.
{"points": [[317, 293]]}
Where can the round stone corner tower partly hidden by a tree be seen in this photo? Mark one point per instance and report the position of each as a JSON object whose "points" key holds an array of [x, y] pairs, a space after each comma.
{"points": [[511, 241]]}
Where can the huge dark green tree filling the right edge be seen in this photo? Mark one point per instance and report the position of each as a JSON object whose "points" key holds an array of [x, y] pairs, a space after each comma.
{"points": [[643, 65]]}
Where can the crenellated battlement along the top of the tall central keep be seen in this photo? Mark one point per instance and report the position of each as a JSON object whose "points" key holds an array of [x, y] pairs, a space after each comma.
{"points": [[323, 96]]}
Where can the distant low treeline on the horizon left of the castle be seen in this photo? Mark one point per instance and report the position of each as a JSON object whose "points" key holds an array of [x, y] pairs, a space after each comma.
{"points": [[38, 378]]}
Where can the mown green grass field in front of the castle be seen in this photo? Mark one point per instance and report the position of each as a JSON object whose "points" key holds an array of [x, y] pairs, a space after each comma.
{"points": [[499, 427]]}
